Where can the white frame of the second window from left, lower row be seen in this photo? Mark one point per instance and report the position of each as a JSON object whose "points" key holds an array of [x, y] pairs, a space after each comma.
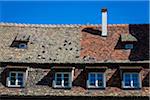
{"points": [[62, 81]]}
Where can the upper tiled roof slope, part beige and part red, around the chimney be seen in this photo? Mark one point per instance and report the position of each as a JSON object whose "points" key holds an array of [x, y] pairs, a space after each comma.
{"points": [[71, 43]]}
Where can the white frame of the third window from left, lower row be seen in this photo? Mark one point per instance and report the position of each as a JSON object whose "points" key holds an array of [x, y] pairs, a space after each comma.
{"points": [[96, 83]]}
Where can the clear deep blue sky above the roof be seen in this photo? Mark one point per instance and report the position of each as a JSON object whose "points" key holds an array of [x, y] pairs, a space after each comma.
{"points": [[74, 12]]}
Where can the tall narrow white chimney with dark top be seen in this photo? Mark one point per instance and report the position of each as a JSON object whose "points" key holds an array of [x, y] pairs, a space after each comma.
{"points": [[104, 21]]}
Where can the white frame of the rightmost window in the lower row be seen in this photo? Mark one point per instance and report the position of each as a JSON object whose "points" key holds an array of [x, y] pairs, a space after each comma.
{"points": [[131, 83]]}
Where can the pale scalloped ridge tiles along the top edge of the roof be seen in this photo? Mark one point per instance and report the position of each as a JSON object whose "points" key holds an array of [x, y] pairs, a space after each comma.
{"points": [[55, 25]]}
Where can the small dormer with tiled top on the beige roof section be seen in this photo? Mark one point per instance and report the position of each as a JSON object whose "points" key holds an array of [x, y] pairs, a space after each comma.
{"points": [[21, 41]]}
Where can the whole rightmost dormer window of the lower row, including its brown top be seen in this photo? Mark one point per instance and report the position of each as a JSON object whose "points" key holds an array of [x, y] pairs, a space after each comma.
{"points": [[131, 77]]}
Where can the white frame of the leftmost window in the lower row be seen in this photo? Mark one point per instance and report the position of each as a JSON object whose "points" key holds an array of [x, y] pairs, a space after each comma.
{"points": [[16, 84]]}
